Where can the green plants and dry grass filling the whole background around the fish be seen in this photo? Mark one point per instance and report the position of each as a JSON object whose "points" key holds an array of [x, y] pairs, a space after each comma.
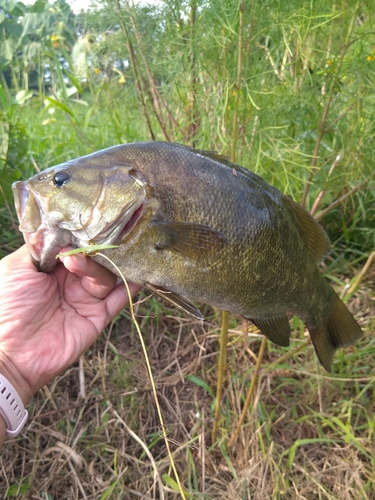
{"points": [[283, 88]]}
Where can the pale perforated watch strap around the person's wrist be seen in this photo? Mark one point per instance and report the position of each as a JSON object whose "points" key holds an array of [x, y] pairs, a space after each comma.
{"points": [[11, 408]]}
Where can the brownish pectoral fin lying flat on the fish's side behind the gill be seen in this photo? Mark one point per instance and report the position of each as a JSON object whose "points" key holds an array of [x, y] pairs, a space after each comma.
{"points": [[188, 238]]}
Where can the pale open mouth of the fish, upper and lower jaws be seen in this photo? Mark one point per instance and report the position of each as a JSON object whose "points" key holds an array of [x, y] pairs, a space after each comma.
{"points": [[42, 241]]}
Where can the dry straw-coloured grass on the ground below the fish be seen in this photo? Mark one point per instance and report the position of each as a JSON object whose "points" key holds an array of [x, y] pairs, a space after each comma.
{"points": [[309, 436]]}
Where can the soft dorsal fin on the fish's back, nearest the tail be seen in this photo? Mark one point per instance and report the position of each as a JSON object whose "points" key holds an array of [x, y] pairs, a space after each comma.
{"points": [[314, 236]]}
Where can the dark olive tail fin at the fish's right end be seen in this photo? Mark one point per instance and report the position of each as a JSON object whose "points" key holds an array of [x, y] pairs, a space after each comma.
{"points": [[339, 330]]}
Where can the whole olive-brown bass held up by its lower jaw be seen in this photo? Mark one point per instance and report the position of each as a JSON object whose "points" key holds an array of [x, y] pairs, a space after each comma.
{"points": [[192, 227]]}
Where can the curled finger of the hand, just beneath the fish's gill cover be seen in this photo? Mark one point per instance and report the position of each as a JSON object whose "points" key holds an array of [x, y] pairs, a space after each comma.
{"points": [[96, 280]]}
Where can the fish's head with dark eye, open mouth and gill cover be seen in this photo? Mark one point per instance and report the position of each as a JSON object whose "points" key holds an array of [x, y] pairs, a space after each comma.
{"points": [[79, 203]]}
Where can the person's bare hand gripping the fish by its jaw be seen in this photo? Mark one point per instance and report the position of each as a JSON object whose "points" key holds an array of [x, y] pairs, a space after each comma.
{"points": [[48, 320]]}
